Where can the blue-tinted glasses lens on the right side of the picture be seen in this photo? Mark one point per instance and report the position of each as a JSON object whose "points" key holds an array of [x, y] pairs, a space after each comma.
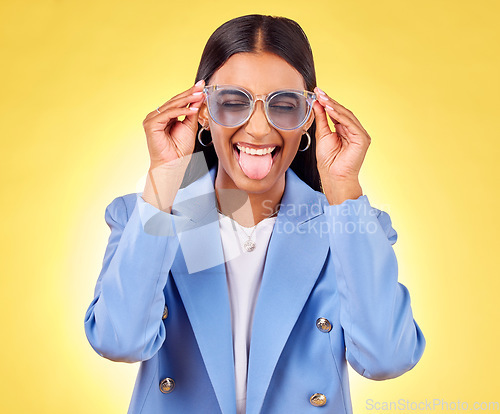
{"points": [[287, 110]]}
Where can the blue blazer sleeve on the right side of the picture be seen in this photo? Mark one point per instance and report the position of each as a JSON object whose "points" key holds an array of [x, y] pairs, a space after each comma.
{"points": [[382, 338]]}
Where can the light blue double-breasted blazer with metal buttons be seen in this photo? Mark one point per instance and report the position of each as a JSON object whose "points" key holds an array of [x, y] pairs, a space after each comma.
{"points": [[162, 299]]}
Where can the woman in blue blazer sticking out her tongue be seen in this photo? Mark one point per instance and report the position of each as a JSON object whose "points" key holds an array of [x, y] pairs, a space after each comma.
{"points": [[252, 267]]}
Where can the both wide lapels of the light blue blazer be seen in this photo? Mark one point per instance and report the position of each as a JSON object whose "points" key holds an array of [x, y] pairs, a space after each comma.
{"points": [[296, 253]]}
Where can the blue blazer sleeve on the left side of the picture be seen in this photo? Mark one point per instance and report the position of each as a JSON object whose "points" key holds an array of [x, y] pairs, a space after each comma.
{"points": [[124, 320]]}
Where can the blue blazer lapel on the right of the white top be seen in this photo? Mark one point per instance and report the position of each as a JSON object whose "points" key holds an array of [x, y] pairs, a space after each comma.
{"points": [[296, 254]]}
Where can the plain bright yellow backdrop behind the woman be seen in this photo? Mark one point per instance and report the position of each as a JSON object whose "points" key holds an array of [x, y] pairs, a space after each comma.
{"points": [[78, 78]]}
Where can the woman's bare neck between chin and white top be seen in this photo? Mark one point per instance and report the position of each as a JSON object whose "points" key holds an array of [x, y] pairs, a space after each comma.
{"points": [[248, 208]]}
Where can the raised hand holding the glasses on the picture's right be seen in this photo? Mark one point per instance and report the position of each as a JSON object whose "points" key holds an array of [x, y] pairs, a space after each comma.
{"points": [[339, 154]]}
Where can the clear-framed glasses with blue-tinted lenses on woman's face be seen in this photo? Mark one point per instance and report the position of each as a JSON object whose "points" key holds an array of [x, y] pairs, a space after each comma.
{"points": [[232, 106]]}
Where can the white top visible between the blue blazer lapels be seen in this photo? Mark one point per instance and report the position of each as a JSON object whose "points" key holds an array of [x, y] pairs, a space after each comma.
{"points": [[244, 274]]}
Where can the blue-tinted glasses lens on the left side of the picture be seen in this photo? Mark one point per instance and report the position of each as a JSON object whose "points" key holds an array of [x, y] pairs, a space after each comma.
{"points": [[229, 107]]}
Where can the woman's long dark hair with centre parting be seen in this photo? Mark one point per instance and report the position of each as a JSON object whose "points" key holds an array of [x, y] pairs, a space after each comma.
{"points": [[260, 33]]}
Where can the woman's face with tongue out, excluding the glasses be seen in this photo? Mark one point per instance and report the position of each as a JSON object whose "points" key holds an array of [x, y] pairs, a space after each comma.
{"points": [[259, 73]]}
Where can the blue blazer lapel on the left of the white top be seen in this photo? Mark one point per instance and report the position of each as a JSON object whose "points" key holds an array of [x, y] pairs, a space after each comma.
{"points": [[200, 276]]}
